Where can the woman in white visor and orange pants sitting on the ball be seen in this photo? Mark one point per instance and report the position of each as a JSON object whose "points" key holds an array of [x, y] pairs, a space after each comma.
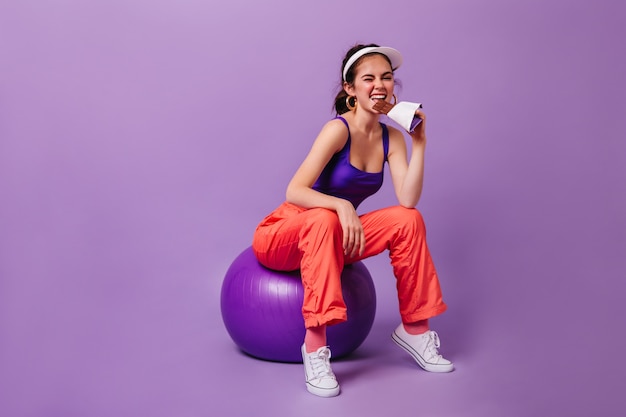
{"points": [[318, 230]]}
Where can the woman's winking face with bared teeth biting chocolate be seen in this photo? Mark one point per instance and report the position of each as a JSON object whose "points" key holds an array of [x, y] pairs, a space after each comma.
{"points": [[373, 81]]}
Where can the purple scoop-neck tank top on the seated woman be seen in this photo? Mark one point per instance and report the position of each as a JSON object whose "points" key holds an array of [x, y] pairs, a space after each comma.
{"points": [[340, 179]]}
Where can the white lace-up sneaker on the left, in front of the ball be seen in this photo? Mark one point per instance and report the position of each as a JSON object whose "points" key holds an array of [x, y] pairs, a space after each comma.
{"points": [[320, 379]]}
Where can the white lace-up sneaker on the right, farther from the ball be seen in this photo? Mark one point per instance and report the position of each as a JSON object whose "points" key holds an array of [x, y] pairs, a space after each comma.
{"points": [[423, 348]]}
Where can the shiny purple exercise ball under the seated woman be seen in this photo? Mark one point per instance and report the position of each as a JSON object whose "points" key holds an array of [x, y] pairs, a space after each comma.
{"points": [[262, 310]]}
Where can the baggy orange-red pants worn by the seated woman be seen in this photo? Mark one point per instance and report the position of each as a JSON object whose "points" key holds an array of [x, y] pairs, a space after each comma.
{"points": [[311, 240]]}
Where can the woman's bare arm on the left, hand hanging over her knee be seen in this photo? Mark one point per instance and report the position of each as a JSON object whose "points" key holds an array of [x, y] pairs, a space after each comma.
{"points": [[330, 140]]}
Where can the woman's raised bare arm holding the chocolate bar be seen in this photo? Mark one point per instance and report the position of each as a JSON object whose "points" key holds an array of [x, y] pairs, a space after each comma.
{"points": [[408, 177]]}
